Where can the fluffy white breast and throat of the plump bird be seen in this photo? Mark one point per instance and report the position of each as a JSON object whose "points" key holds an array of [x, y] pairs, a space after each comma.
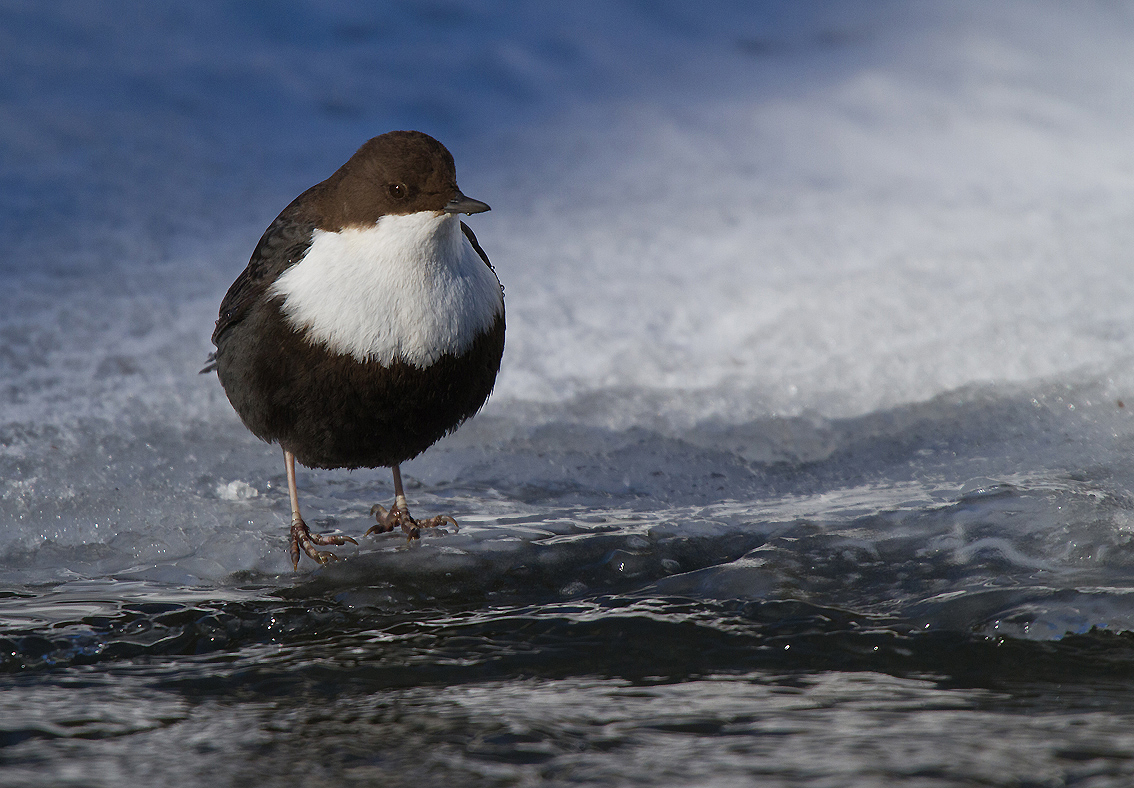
{"points": [[409, 289]]}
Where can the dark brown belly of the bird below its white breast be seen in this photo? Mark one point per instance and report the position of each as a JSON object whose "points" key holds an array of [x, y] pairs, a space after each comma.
{"points": [[334, 412]]}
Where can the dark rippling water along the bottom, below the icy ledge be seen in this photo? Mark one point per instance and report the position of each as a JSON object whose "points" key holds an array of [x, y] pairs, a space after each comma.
{"points": [[168, 688]]}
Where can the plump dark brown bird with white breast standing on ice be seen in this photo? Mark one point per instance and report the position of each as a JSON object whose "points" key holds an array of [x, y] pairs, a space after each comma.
{"points": [[368, 325]]}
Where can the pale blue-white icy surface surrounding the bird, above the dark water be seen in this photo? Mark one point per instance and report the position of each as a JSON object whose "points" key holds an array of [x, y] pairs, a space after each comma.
{"points": [[782, 279]]}
